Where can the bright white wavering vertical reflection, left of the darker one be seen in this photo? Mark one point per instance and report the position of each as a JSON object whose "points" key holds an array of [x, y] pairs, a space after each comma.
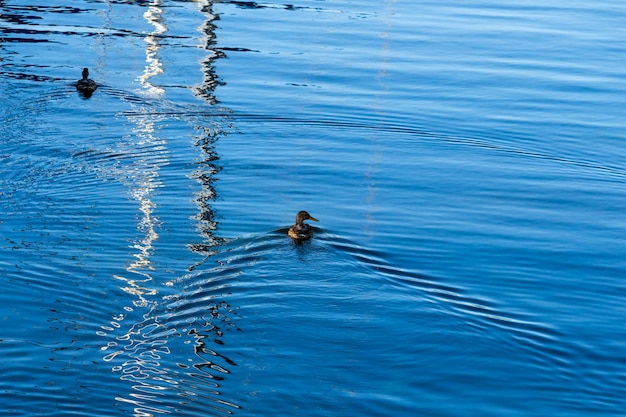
{"points": [[141, 349]]}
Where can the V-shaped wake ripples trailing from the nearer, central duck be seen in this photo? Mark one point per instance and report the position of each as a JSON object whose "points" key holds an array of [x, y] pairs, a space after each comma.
{"points": [[245, 254]]}
